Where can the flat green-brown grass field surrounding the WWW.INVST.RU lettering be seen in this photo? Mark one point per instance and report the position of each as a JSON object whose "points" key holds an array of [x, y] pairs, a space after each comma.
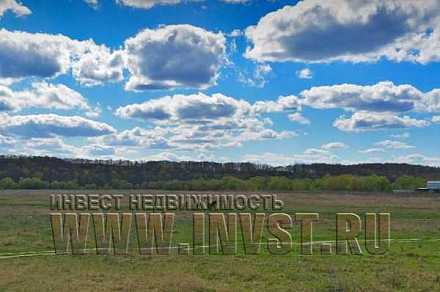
{"points": [[412, 264]]}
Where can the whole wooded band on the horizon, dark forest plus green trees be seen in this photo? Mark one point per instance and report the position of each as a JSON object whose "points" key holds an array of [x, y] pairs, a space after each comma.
{"points": [[48, 172]]}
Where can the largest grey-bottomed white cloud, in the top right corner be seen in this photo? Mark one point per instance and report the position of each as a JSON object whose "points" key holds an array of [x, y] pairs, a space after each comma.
{"points": [[322, 31]]}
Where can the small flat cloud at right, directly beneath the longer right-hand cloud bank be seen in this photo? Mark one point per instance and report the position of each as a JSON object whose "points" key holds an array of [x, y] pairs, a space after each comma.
{"points": [[365, 121]]}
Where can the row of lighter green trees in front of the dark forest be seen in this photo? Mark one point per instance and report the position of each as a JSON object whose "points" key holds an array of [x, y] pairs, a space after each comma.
{"points": [[372, 183]]}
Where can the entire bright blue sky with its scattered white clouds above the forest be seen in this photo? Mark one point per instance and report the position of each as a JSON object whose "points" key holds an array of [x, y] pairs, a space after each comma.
{"points": [[274, 82]]}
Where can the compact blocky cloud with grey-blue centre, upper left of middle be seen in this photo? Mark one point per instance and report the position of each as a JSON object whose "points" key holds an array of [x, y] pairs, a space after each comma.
{"points": [[174, 56]]}
